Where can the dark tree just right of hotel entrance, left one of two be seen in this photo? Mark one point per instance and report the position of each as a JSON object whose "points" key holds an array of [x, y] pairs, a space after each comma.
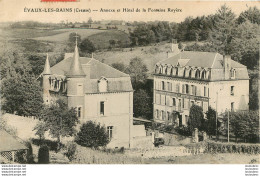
{"points": [[196, 118]]}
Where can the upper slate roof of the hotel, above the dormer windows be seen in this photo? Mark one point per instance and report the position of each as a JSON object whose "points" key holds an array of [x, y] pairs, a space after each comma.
{"points": [[199, 59]]}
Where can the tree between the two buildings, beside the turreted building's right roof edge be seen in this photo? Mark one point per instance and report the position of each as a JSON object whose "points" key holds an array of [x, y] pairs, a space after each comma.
{"points": [[138, 72]]}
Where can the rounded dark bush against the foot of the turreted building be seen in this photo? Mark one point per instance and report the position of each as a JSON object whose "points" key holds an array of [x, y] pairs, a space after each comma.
{"points": [[92, 135]]}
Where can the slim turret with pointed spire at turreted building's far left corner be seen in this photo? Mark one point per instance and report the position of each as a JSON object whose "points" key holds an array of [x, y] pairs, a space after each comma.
{"points": [[45, 82]]}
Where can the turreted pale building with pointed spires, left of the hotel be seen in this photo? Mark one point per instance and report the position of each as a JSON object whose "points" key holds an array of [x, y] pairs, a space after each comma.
{"points": [[97, 91]]}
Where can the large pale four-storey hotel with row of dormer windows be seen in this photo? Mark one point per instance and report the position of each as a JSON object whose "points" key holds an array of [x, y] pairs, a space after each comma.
{"points": [[200, 78]]}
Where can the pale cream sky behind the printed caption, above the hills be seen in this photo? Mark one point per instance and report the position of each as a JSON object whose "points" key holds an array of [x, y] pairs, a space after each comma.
{"points": [[13, 10]]}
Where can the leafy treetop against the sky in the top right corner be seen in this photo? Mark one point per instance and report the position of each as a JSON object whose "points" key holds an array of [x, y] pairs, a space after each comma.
{"points": [[252, 14]]}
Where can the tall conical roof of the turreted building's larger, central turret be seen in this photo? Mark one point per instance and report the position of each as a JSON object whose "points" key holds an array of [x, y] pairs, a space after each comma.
{"points": [[75, 67]]}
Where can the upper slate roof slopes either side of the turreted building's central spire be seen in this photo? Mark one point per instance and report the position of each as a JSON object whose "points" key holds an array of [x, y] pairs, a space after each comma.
{"points": [[97, 68]]}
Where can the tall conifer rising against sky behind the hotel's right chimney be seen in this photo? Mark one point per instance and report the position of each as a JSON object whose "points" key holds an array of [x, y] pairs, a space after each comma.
{"points": [[224, 23]]}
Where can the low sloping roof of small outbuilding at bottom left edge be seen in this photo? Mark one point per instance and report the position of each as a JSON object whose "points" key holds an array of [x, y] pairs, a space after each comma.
{"points": [[9, 143]]}
